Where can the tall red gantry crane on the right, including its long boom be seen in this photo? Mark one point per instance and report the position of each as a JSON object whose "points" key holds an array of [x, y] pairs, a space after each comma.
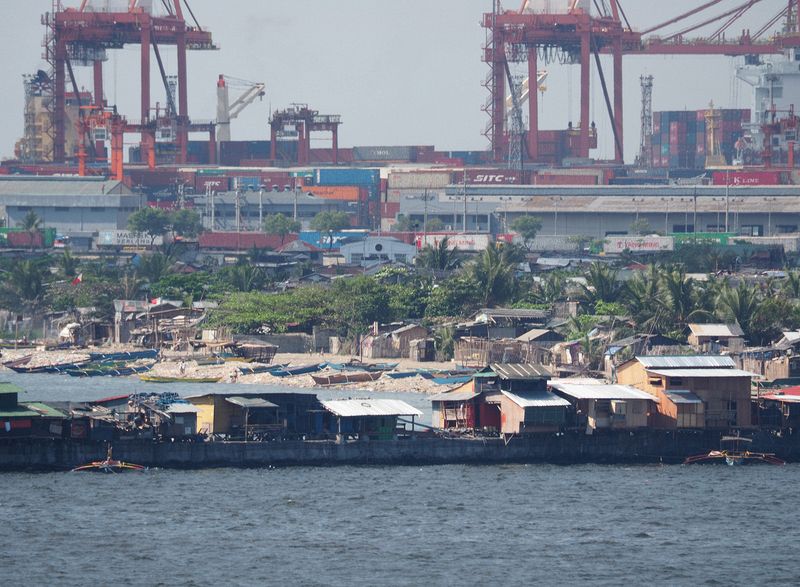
{"points": [[578, 34]]}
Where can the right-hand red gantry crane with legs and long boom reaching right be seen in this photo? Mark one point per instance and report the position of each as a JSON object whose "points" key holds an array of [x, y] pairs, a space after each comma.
{"points": [[517, 36]]}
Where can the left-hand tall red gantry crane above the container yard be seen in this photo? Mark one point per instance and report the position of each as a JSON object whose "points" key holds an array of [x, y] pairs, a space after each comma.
{"points": [[83, 35]]}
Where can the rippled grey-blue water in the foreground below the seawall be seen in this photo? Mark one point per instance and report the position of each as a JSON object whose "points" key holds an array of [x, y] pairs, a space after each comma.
{"points": [[451, 525]]}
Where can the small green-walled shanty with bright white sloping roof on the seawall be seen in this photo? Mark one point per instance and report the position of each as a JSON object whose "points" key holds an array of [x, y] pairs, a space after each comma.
{"points": [[366, 419]]}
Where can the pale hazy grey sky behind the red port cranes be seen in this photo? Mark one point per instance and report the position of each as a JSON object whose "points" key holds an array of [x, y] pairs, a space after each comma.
{"points": [[399, 73]]}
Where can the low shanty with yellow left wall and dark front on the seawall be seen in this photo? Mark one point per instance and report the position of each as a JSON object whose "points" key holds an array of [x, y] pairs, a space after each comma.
{"points": [[235, 413]]}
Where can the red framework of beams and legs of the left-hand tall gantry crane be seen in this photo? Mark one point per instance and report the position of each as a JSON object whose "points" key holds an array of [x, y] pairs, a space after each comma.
{"points": [[100, 30]]}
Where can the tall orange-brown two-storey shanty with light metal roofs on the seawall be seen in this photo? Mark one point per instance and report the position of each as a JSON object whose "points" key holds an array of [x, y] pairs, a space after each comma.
{"points": [[692, 391]]}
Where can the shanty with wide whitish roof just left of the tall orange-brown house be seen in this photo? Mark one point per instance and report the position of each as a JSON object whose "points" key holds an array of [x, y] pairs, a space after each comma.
{"points": [[603, 406]]}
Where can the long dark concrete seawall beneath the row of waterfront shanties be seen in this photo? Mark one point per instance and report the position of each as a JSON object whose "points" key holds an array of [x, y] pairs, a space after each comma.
{"points": [[612, 447]]}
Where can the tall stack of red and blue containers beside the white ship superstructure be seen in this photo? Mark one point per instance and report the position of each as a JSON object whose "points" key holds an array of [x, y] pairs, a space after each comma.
{"points": [[680, 141]]}
